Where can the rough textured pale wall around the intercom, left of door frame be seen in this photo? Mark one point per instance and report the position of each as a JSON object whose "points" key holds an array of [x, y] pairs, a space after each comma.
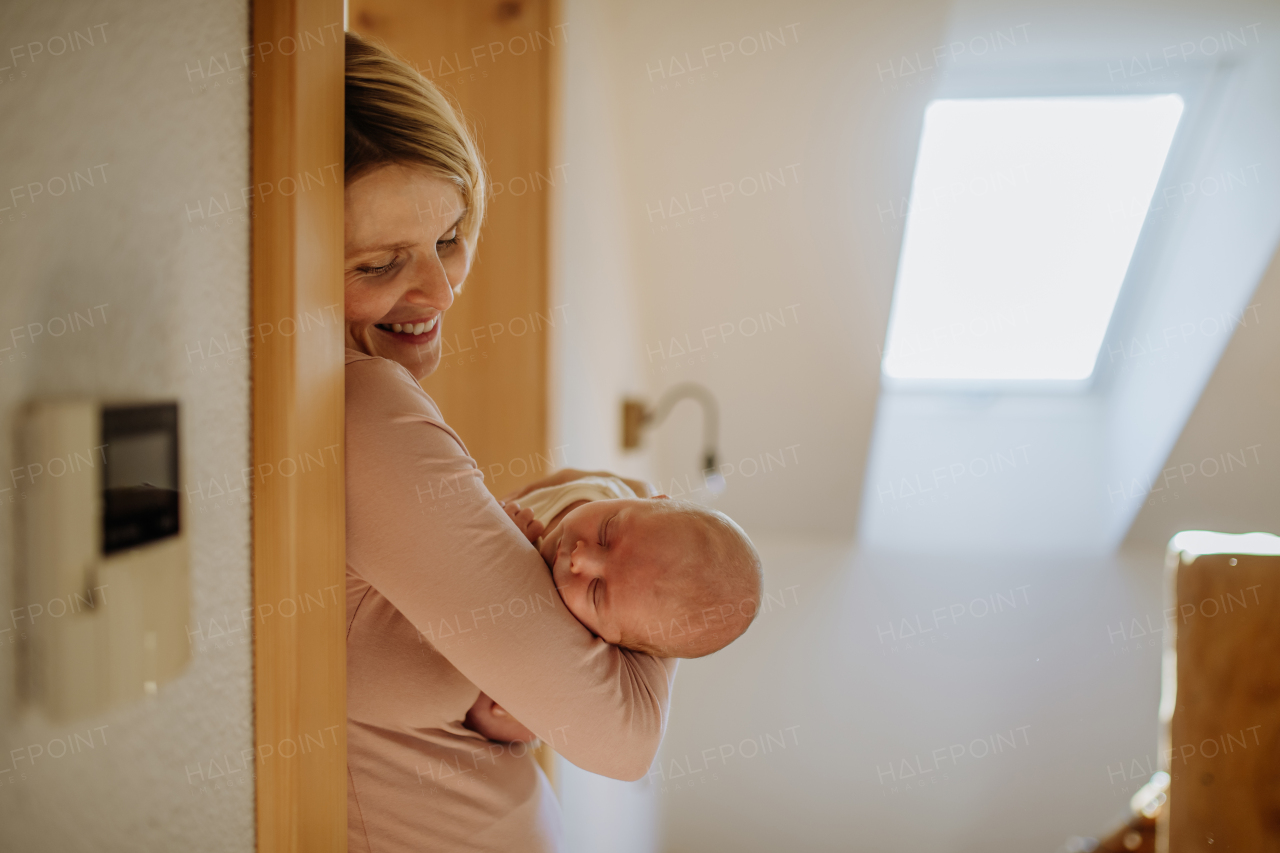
{"points": [[131, 110]]}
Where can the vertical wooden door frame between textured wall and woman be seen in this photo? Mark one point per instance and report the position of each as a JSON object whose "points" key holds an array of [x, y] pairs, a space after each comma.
{"points": [[299, 490]]}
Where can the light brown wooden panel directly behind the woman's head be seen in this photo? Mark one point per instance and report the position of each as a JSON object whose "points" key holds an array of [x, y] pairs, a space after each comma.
{"points": [[495, 58]]}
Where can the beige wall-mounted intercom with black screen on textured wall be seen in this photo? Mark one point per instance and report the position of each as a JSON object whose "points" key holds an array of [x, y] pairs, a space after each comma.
{"points": [[107, 559]]}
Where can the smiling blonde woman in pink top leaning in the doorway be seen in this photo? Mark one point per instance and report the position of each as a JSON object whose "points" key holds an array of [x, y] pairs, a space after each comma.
{"points": [[445, 597]]}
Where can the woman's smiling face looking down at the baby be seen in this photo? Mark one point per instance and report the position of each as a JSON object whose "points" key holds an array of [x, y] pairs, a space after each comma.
{"points": [[405, 262]]}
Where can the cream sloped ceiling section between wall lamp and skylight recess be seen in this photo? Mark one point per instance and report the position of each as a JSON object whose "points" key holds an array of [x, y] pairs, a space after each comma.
{"points": [[806, 249]]}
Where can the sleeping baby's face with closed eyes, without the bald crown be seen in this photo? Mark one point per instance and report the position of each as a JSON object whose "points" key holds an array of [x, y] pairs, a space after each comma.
{"points": [[607, 559]]}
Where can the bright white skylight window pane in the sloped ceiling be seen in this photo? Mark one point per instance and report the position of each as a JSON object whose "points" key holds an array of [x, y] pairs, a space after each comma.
{"points": [[1023, 217]]}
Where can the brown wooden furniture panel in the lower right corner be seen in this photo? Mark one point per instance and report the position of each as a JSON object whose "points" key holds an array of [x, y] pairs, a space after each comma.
{"points": [[1223, 750]]}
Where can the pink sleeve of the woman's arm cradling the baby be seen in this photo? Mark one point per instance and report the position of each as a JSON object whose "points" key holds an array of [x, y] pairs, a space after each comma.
{"points": [[423, 530]]}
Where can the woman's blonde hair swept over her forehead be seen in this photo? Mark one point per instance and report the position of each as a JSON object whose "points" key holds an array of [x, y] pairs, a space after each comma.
{"points": [[397, 117]]}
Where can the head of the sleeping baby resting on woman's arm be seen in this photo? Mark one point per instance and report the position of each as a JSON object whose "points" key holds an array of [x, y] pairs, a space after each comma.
{"points": [[656, 576]]}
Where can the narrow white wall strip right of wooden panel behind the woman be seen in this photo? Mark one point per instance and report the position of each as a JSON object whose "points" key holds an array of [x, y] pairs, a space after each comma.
{"points": [[593, 357]]}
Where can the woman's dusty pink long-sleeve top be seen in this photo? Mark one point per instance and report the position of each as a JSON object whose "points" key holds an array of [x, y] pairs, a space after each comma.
{"points": [[446, 599]]}
